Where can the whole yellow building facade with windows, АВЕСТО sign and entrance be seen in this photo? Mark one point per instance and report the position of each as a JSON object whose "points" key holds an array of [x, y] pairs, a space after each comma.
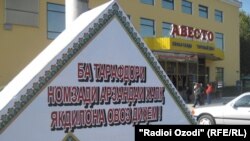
{"points": [[194, 40]]}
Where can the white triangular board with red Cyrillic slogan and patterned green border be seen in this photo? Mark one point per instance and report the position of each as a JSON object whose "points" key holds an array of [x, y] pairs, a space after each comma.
{"points": [[94, 82]]}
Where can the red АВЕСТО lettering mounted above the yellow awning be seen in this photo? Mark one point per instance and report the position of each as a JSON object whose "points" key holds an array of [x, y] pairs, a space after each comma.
{"points": [[191, 32]]}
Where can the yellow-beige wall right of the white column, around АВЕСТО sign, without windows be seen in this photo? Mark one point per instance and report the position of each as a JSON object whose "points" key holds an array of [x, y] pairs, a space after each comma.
{"points": [[229, 27]]}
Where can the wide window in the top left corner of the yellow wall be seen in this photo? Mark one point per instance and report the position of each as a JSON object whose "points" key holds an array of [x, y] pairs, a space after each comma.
{"points": [[22, 12]]}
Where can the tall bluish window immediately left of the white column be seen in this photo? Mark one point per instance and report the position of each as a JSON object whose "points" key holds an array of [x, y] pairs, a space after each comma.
{"points": [[56, 19]]}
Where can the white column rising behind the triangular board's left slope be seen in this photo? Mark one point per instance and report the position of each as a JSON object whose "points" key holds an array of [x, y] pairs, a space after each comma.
{"points": [[74, 8]]}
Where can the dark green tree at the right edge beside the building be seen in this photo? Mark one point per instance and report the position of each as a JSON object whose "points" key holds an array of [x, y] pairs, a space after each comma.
{"points": [[244, 43]]}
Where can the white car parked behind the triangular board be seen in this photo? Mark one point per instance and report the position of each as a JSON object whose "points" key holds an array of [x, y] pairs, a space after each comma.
{"points": [[236, 111]]}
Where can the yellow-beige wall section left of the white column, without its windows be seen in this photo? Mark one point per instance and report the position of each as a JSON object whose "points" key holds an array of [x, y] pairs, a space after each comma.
{"points": [[21, 44]]}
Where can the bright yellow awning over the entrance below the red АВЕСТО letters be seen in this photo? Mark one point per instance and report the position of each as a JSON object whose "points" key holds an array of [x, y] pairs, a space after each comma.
{"points": [[177, 45]]}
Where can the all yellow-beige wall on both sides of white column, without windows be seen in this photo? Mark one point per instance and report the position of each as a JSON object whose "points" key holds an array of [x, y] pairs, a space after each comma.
{"points": [[21, 44]]}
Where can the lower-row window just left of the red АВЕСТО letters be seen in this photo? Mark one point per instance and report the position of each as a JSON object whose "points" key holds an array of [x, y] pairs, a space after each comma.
{"points": [[147, 28]]}
